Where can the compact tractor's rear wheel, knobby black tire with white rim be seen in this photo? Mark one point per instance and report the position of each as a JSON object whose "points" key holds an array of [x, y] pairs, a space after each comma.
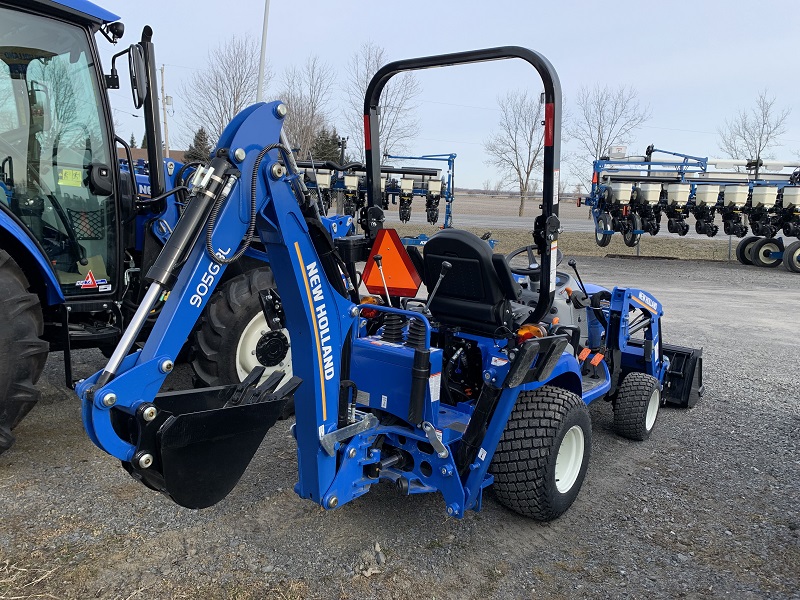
{"points": [[541, 460]]}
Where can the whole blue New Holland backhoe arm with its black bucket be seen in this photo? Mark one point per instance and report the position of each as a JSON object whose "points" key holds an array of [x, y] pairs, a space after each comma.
{"points": [[246, 173]]}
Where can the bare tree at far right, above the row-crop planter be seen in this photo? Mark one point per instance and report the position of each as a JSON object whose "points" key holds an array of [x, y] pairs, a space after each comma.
{"points": [[751, 133]]}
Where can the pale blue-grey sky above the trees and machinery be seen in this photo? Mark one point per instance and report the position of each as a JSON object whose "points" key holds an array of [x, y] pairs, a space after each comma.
{"points": [[693, 64]]}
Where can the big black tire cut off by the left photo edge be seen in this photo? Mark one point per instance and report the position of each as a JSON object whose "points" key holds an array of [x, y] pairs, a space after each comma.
{"points": [[22, 352]]}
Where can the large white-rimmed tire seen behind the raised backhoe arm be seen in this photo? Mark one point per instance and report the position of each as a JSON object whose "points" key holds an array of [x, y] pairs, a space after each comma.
{"points": [[232, 337]]}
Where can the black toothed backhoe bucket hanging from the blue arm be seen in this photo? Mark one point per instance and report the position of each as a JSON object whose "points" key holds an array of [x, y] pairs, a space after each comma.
{"points": [[199, 444]]}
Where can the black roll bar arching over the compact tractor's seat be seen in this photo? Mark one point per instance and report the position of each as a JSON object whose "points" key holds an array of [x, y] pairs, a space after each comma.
{"points": [[546, 225]]}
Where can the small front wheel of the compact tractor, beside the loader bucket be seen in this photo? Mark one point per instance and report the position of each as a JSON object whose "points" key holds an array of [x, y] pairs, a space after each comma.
{"points": [[636, 406]]}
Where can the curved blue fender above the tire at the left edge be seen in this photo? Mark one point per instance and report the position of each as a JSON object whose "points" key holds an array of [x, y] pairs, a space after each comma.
{"points": [[29, 254]]}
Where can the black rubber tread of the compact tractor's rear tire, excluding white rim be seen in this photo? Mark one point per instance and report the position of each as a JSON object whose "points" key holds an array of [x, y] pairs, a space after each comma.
{"points": [[520, 462]]}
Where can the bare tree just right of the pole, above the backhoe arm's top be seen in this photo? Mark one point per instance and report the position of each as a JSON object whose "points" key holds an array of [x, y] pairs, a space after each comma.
{"points": [[306, 91]]}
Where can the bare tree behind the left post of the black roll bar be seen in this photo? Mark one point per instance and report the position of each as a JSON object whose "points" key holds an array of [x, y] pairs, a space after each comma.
{"points": [[398, 126]]}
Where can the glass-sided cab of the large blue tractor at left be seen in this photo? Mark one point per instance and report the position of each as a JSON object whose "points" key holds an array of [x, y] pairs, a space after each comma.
{"points": [[56, 155]]}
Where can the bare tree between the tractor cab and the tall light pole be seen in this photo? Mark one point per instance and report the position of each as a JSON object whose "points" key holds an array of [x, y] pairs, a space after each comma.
{"points": [[227, 84]]}
